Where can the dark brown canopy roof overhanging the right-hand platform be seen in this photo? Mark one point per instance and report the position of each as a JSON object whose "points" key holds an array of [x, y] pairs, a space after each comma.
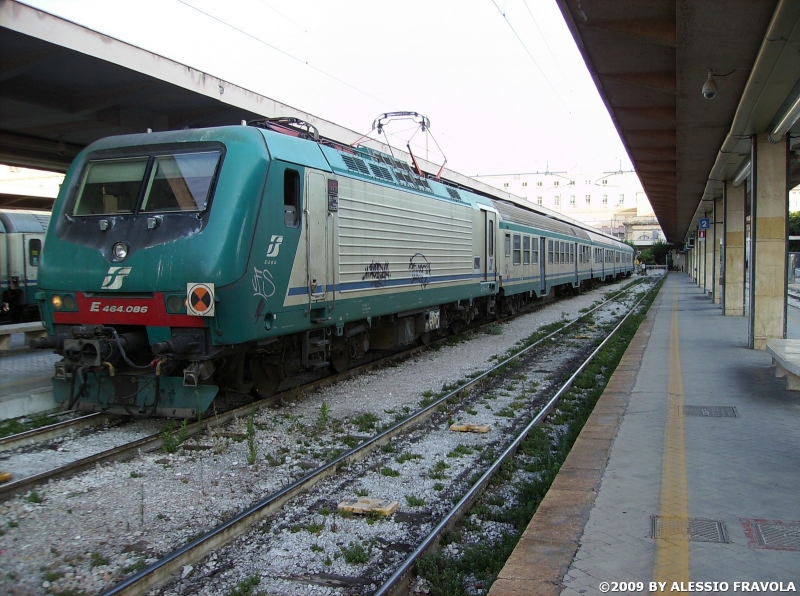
{"points": [[649, 61]]}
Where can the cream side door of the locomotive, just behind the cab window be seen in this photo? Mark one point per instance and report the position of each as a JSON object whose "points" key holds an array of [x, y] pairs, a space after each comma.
{"points": [[319, 237]]}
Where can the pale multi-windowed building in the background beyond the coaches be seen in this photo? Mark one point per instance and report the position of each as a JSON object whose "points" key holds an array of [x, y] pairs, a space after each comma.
{"points": [[613, 202]]}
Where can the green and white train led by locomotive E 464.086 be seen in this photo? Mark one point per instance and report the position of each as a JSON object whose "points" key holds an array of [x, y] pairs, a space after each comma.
{"points": [[183, 264]]}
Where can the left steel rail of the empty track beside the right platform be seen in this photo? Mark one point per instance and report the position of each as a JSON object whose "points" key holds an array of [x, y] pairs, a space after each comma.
{"points": [[162, 570]]}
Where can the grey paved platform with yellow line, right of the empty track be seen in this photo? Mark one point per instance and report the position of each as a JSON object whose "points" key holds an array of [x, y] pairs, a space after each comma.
{"points": [[688, 470]]}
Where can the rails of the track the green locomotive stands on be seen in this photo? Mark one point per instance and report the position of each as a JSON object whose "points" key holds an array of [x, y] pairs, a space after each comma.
{"points": [[156, 440]]}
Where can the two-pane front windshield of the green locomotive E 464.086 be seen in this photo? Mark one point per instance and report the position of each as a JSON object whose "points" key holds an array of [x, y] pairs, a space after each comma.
{"points": [[175, 182]]}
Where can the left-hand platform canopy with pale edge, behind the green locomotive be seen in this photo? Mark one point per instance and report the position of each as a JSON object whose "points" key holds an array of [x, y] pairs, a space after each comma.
{"points": [[63, 86]]}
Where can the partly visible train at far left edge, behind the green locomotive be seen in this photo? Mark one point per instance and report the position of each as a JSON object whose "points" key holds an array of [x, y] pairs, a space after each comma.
{"points": [[22, 234]]}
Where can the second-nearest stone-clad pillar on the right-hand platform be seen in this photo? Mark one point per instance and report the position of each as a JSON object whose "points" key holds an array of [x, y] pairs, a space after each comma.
{"points": [[733, 267]]}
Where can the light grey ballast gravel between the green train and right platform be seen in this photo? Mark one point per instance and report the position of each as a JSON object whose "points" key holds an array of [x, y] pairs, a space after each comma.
{"points": [[85, 533]]}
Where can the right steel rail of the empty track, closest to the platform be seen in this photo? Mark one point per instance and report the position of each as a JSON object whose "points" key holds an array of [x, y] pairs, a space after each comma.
{"points": [[395, 584]]}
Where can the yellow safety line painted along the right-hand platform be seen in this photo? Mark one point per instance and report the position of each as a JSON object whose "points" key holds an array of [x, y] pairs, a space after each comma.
{"points": [[672, 559]]}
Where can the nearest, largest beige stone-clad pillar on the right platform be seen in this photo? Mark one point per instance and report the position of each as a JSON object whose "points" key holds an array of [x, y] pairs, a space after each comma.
{"points": [[768, 231]]}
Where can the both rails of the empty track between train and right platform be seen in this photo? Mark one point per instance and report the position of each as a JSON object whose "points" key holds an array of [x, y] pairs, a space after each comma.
{"points": [[183, 558]]}
